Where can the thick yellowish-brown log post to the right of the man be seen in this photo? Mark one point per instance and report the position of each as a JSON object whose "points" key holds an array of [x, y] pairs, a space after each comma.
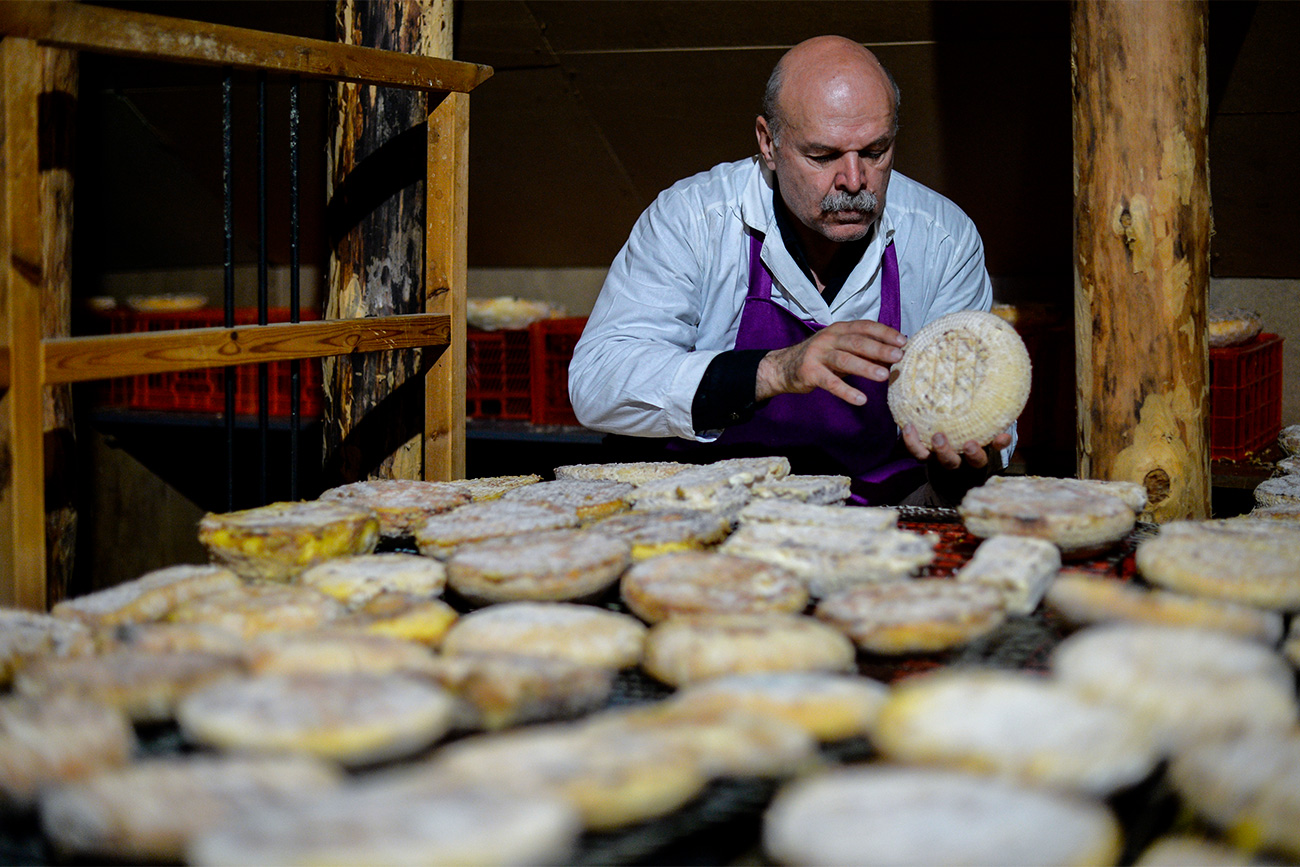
{"points": [[1142, 249]]}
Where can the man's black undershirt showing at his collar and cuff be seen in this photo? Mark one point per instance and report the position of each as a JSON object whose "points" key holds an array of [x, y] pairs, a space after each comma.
{"points": [[726, 393]]}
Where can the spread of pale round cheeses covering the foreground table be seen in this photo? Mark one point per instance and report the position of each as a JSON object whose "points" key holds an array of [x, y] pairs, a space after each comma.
{"points": [[452, 701]]}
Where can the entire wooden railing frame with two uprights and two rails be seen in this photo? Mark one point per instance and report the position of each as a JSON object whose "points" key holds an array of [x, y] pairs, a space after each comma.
{"points": [[29, 365]]}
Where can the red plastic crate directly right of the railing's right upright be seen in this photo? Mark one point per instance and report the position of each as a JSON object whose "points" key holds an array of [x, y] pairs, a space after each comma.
{"points": [[499, 375]]}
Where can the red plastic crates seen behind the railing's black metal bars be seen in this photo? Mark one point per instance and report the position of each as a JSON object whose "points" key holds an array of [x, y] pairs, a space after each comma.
{"points": [[205, 391]]}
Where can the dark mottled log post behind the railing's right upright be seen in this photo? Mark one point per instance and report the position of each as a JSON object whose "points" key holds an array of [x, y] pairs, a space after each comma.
{"points": [[376, 219]]}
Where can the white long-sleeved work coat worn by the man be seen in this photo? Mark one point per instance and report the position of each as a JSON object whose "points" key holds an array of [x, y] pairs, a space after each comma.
{"points": [[674, 296]]}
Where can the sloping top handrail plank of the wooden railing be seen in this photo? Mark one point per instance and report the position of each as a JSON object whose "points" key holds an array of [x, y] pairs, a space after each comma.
{"points": [[132, 34]]}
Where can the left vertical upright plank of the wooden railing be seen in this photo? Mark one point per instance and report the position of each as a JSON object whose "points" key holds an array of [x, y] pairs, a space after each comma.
{"points": [[23, 537]]}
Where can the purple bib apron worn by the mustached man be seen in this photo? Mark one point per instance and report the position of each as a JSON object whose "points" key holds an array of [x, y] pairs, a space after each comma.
{"points": [[863, 440]]}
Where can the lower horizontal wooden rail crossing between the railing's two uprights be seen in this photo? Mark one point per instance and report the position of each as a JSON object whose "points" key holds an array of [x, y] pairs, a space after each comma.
{"points": [[81, 359]]}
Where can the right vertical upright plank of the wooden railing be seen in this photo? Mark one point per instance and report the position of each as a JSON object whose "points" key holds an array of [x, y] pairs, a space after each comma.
{"points": [[447, 241]]}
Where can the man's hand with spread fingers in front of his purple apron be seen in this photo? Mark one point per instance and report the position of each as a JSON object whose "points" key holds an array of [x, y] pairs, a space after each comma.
{"points": [[861, 349]]}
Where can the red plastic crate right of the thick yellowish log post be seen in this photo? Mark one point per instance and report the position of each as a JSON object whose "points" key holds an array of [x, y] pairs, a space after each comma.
{"points": [[1246, 397]]}
